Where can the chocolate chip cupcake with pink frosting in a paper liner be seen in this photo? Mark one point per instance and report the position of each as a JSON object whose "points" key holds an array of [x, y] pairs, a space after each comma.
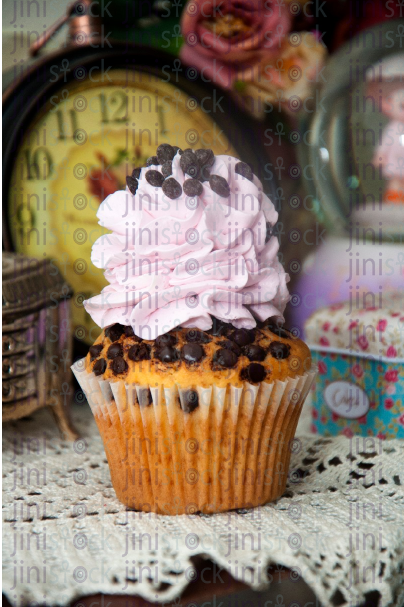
{"points": [[194, 384]]}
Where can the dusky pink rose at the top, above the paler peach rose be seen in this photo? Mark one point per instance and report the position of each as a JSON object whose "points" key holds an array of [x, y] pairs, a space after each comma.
{"points": [[222, 36]]}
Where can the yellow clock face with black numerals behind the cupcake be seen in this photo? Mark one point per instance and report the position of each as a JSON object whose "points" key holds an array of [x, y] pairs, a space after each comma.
{"points": [[79, 150]]}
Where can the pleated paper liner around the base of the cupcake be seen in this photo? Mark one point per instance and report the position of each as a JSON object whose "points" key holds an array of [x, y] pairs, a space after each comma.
{"points": [[232, 451]]}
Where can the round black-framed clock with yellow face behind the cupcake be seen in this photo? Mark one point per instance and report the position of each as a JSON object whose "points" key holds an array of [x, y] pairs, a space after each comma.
{"points": [[78, 122]]}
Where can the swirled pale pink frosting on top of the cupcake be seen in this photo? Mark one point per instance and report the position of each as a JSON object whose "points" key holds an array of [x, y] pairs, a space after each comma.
{"points": [[177, 262]]}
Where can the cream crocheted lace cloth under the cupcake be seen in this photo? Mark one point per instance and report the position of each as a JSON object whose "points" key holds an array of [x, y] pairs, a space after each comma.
{"points": [[340, 524]]}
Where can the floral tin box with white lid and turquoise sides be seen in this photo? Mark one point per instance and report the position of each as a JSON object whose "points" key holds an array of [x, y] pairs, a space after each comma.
{"points": [[360, 356]]}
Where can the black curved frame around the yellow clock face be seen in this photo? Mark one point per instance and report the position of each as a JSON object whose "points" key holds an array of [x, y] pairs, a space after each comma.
{"points": [[23, 99]]}
